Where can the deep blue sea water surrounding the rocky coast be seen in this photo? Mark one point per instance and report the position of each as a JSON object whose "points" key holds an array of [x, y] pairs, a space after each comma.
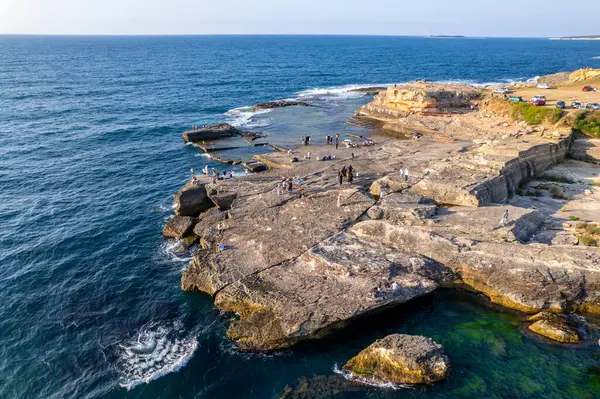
{"points": [[90, 155]]}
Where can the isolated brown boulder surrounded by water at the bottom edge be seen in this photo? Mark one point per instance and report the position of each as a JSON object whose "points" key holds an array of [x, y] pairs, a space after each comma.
{"points": [[400, 359]]}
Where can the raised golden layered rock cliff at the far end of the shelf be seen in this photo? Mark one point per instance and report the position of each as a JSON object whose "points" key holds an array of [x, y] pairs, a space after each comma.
{"points": [[399, 101]]}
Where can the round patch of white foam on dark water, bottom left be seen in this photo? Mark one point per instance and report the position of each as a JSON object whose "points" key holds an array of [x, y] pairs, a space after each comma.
{"points": [[154, 352]]}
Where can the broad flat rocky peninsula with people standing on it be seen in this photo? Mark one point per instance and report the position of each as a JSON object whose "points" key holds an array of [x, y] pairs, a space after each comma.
{"points": [[295, 266]]}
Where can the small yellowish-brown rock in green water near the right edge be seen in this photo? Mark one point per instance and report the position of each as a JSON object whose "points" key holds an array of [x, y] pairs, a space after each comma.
{"points": [[560, 328]]}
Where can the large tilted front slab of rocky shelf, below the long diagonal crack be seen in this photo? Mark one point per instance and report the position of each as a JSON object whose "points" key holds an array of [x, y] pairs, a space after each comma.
{"points": [[339, 280]]}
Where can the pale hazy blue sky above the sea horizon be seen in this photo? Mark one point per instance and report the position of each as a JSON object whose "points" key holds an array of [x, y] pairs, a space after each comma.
{"points": [[482, 18]]}
